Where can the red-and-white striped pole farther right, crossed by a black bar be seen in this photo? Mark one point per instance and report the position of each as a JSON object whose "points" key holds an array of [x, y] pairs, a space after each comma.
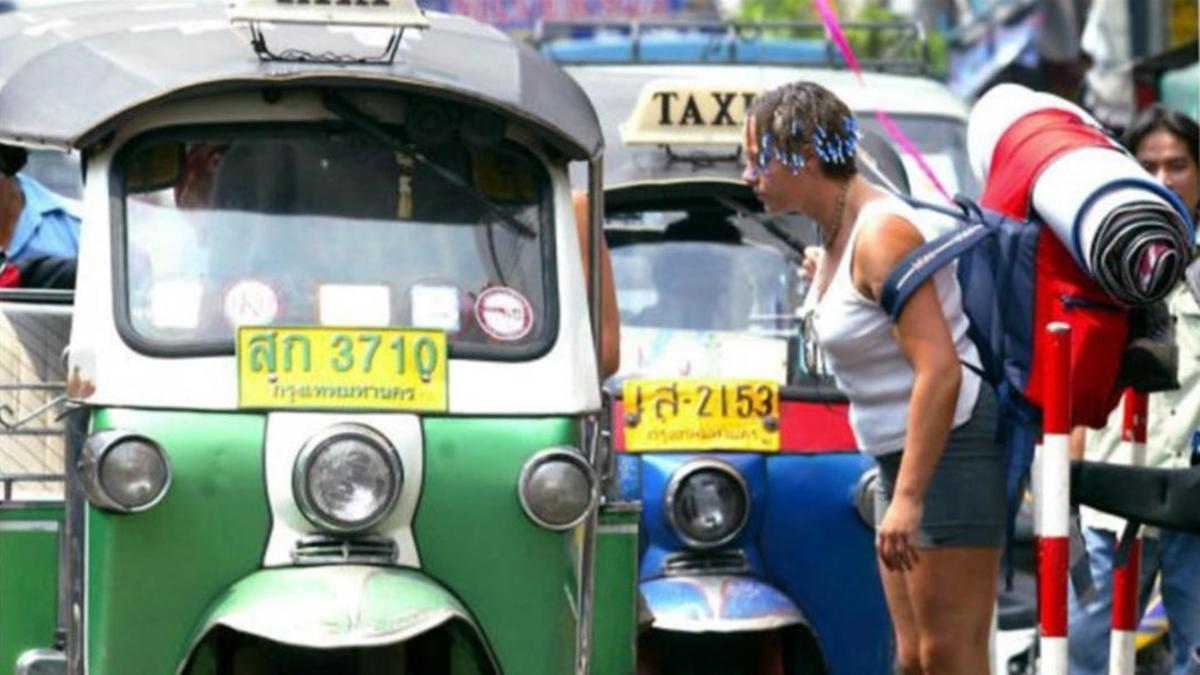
{"points": [[1123, 649]]}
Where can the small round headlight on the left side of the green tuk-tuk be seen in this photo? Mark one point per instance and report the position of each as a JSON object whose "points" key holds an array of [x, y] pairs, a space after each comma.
{"points": [[124, 473]]}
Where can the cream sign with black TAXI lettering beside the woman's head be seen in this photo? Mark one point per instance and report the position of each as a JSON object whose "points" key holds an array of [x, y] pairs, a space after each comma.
{"points": [[689, 114]]}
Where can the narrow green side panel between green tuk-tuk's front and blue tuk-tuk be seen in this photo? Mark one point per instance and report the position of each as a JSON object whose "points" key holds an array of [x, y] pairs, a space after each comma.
{"points": [[615, 611]]}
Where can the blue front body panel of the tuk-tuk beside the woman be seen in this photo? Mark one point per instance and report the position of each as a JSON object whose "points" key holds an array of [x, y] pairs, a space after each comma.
{"points": [[805, 543]]}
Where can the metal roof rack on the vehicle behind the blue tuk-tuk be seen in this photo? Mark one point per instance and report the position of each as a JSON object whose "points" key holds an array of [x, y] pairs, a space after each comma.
{"points": [[913, 37]]}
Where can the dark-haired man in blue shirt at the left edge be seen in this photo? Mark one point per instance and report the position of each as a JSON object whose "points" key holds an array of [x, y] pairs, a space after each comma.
{"points": [[34, 222]]}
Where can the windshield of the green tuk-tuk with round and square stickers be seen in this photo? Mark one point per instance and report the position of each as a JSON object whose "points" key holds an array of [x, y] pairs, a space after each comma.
{"points": [[315, 228]]}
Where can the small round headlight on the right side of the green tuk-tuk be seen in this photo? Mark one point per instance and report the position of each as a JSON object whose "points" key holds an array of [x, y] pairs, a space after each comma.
{"points": [[559, 488]]}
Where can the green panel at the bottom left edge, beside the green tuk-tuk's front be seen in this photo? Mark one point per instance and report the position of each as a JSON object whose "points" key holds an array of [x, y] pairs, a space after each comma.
{"points": [[29, 564]]}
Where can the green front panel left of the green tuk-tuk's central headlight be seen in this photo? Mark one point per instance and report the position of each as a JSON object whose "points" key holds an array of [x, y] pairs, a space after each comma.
{"points": [[153, 575]]}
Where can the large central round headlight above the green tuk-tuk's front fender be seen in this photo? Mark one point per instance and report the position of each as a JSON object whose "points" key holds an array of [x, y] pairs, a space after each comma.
{"points": [[347, 479]]}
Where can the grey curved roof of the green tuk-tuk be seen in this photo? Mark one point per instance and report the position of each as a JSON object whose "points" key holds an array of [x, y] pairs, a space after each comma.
{"points": [[73, 73]]}
